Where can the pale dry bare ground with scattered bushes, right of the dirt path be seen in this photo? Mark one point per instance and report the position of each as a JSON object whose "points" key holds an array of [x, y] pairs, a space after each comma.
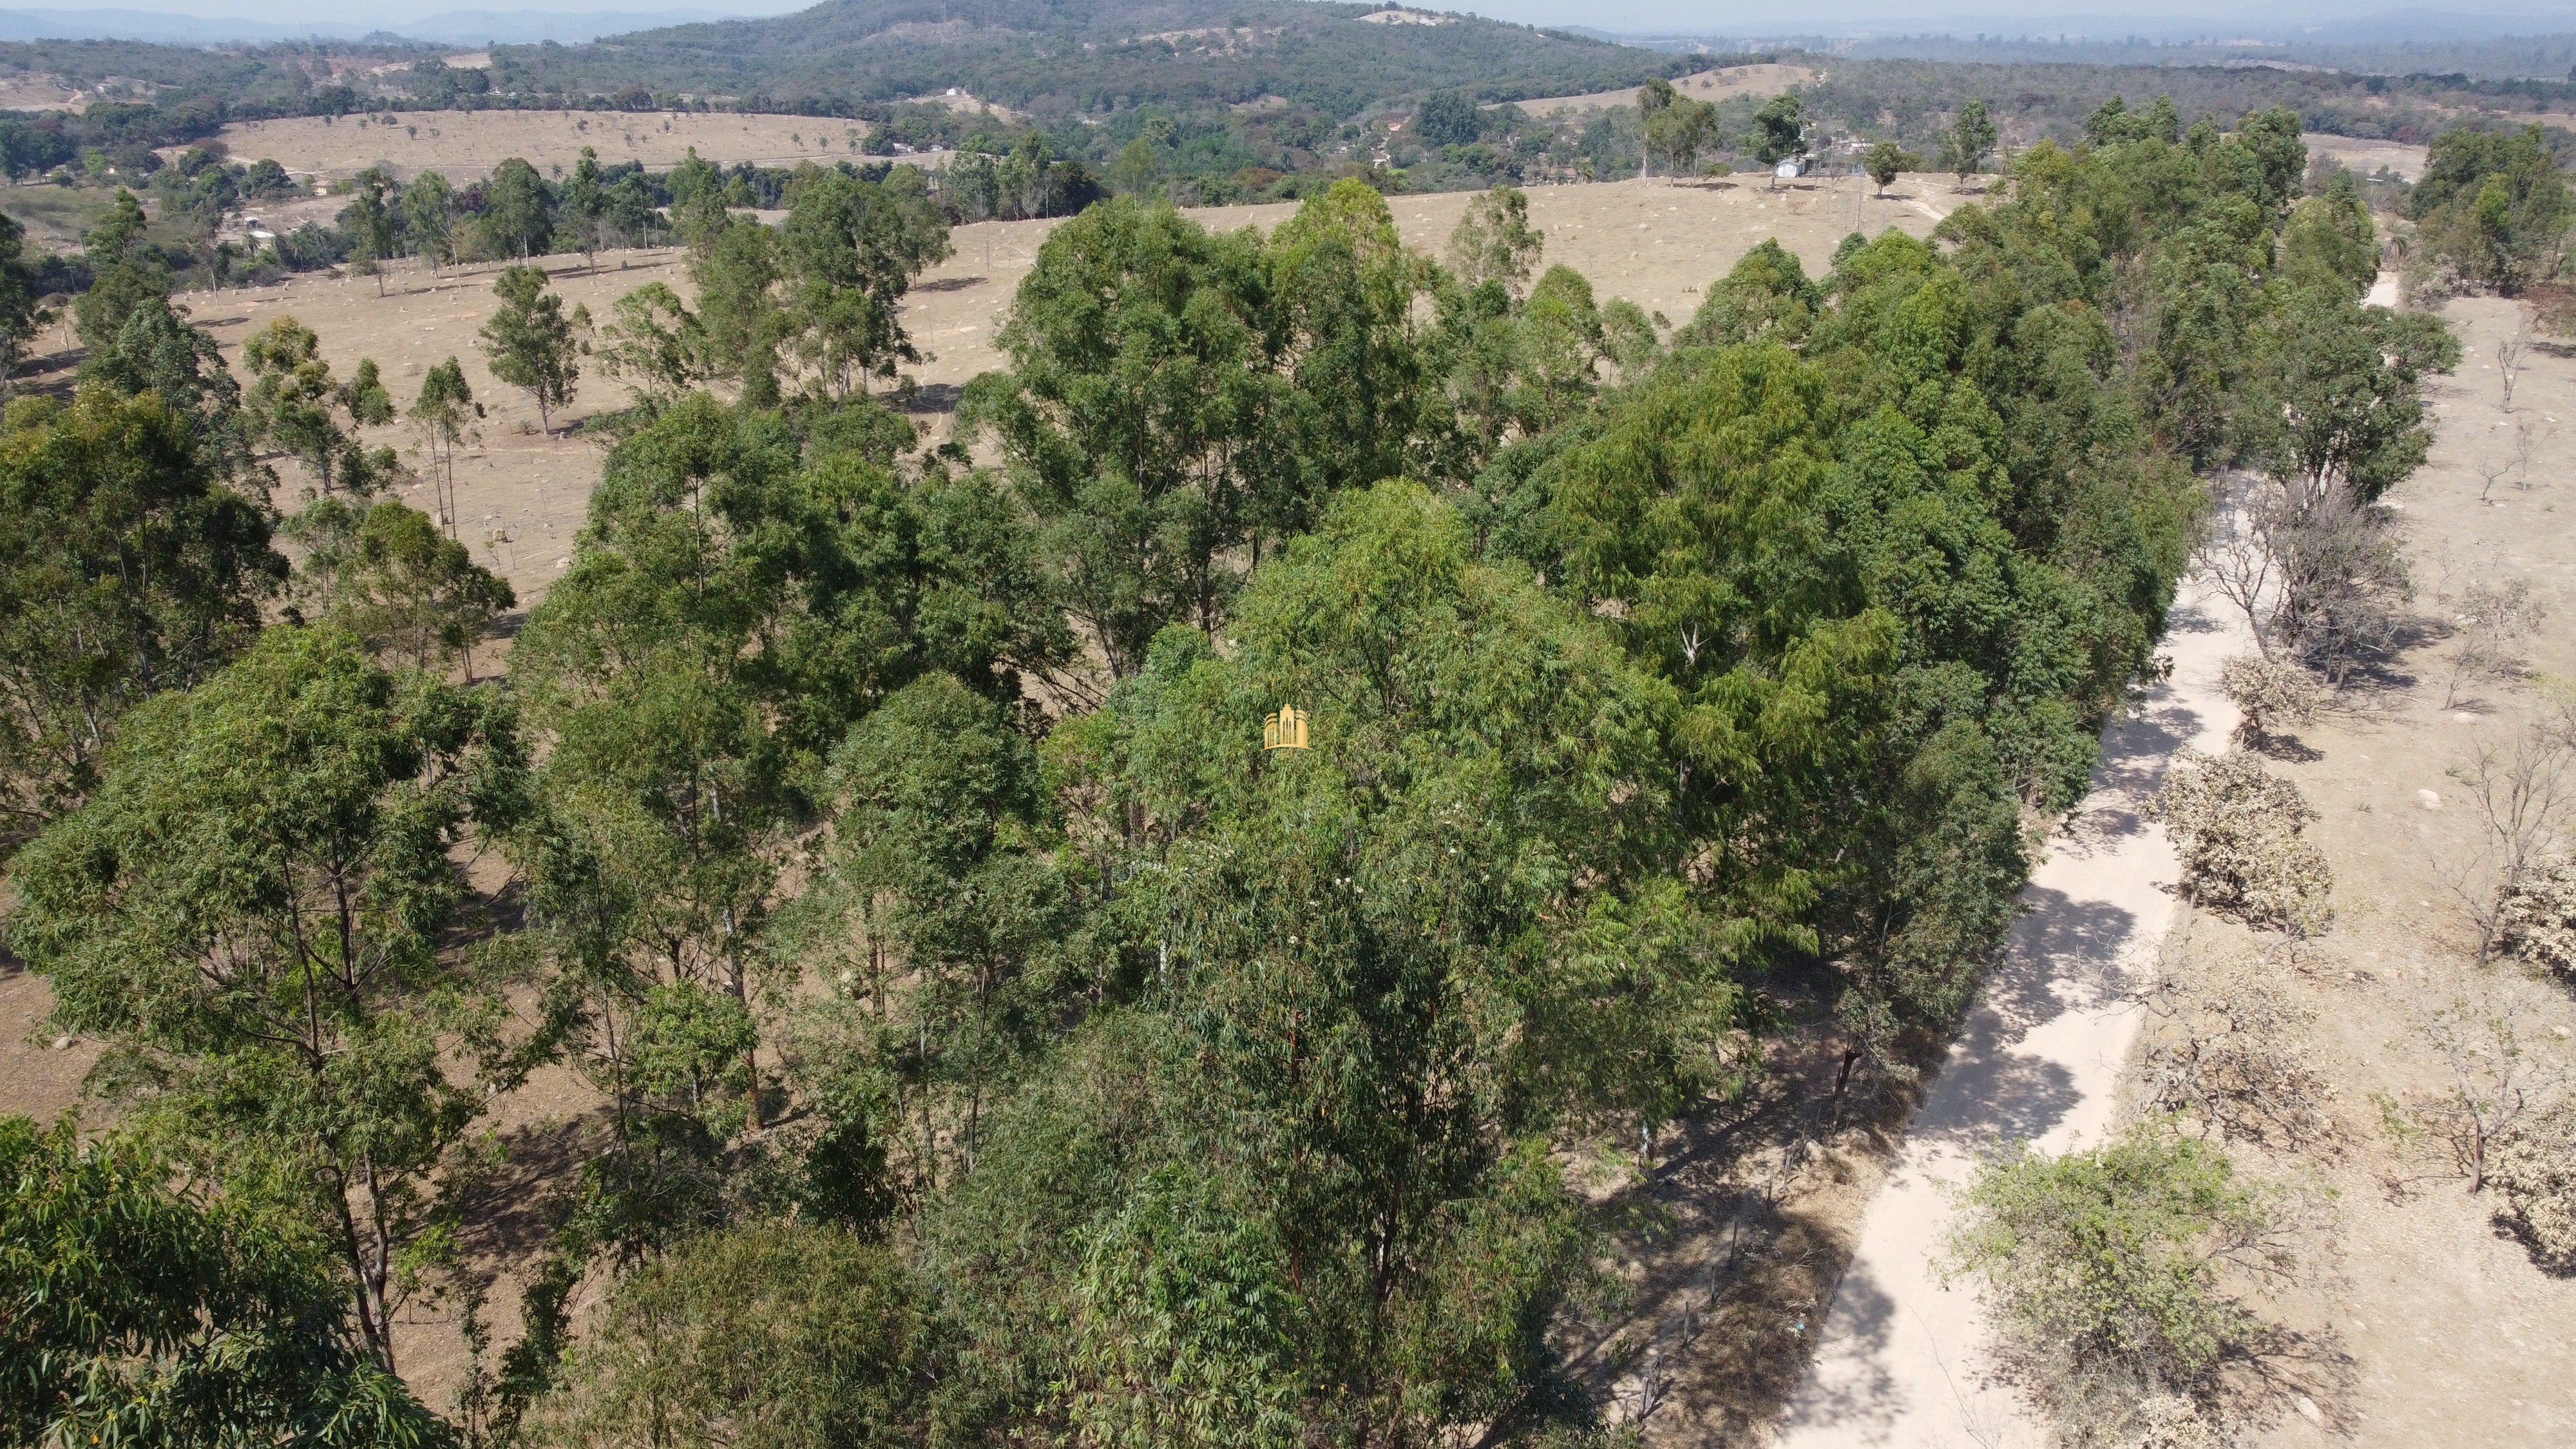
{"points": [[2454, 1334]]}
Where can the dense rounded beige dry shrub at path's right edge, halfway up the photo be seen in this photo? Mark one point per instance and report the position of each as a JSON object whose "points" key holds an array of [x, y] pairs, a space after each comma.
{"points": [[2242, 848]]}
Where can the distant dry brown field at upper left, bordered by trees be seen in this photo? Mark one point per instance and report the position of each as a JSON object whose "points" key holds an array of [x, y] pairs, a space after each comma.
{"points": [[465, 145]]}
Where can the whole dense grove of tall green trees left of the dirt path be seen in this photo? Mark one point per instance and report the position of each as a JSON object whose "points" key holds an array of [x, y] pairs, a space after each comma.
{"points": [[988, 1038]]}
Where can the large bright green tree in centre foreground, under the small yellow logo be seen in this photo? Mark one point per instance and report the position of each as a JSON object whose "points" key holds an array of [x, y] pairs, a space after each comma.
{"points": [[1446, 892]]}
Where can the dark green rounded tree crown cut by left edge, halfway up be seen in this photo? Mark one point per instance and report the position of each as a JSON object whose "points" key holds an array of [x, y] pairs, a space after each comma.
{"points": [[125, 570]]}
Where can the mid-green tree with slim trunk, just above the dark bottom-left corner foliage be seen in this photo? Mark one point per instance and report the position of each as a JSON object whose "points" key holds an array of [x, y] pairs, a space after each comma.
{"points": [[251, 910]]}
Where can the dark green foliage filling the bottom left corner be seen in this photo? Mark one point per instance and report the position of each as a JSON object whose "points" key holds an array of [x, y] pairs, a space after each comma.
{"points": [[138, 1314]]}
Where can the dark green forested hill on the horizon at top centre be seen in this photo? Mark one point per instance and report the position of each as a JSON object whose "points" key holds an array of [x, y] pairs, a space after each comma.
{"points": [[1091, 55]]}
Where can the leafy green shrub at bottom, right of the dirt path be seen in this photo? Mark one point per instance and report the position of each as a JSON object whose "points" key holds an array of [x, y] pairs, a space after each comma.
{"points": [[2103, 1270]]}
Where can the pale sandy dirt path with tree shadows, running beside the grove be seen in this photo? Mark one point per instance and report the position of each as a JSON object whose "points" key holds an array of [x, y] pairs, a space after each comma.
{"points": [[1905, 1360]]}
